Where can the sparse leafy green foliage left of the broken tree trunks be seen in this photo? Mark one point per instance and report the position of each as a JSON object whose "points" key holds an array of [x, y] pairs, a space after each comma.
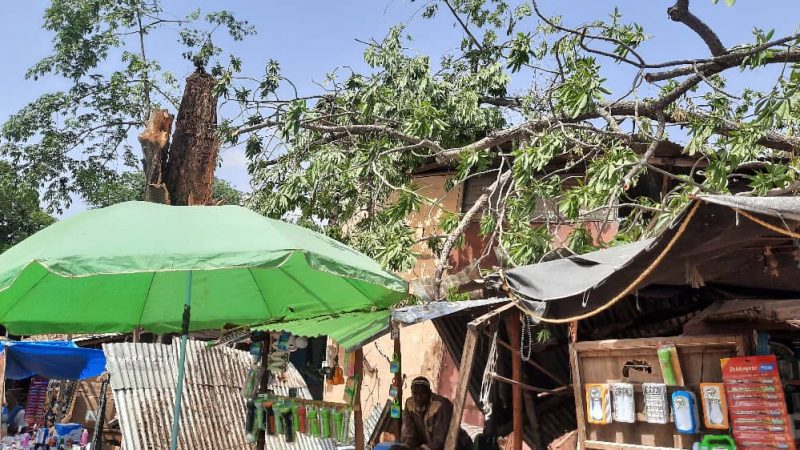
{"points": [[78, 141]]}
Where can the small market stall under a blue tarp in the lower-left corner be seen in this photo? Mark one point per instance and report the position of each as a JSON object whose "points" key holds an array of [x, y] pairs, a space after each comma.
{"points": [[42, 362]]}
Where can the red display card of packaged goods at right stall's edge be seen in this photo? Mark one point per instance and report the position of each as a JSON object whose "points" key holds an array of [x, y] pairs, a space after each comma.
{"points": [[759, 419]]}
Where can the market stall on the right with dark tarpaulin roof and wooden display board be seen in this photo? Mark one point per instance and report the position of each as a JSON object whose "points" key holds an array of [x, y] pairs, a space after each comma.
{"points": [[711, 304]]}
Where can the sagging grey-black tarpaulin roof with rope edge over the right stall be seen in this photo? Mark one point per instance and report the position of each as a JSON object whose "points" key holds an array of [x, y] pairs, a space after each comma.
{"points": [[711, 243]]}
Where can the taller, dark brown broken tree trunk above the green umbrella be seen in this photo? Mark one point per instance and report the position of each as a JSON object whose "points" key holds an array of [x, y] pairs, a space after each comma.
{"points": [[189, 172]]}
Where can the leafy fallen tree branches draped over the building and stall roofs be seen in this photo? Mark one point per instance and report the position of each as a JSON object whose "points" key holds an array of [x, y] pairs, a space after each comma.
{"points": [[346, 157]]}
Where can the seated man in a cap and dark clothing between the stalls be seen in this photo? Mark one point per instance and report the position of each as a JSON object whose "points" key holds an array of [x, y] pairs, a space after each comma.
{"points": [[426, 420]]}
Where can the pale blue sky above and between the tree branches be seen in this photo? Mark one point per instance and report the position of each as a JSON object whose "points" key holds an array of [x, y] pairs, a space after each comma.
{"points": [[311, 37]]}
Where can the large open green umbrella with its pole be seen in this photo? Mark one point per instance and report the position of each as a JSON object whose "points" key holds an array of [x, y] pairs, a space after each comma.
{"points": [[139, 264]]}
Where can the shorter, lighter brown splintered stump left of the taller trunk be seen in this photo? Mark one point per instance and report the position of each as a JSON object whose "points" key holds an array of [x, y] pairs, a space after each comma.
{"points": [[155, 145]]}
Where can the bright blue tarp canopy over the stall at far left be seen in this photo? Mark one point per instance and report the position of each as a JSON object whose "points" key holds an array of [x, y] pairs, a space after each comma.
{"points": [[58, 360]]}
